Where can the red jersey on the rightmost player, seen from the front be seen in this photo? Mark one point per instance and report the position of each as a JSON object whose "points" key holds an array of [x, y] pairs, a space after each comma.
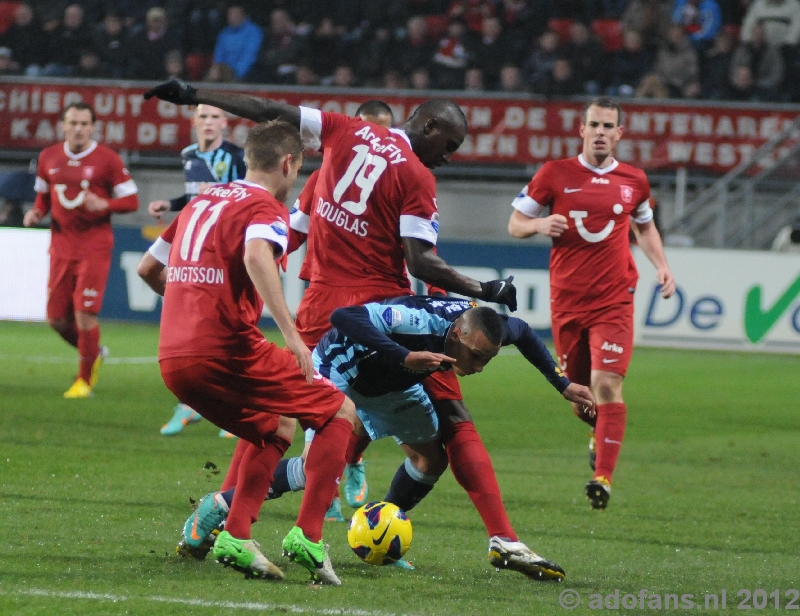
{"points": [[591, 264]]}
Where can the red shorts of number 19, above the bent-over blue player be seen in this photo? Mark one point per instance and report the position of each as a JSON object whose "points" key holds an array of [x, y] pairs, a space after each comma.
{"points": [[320, 300]]}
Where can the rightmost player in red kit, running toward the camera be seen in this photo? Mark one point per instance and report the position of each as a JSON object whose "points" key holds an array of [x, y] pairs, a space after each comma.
{"points": [[592, 199]]}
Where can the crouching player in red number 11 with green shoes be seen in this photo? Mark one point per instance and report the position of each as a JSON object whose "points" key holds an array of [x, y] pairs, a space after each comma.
{"points": [[215, 280]]}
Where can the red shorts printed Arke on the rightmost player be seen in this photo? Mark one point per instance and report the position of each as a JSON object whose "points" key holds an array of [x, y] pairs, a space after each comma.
{"points": [[599, 339]]}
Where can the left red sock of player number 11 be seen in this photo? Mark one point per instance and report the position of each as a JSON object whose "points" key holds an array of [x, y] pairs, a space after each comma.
{"points": [[255, 476]]}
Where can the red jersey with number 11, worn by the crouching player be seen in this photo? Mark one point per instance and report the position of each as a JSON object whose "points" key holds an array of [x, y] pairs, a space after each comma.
{"points": [[211, 307]]}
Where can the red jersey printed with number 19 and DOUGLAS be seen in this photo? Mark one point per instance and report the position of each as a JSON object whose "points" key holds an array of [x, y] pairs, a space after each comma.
{"points": [[371, 191]]}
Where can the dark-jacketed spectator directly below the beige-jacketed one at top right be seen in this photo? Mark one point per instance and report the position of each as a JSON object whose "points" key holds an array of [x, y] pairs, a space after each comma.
{"points": [[765, 65]]}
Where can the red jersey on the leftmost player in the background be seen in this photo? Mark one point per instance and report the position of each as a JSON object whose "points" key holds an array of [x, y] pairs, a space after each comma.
{"points": [[62, 182]]}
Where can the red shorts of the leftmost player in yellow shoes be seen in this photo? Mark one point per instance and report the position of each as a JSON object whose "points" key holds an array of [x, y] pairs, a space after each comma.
{"points": [[77, 285]]}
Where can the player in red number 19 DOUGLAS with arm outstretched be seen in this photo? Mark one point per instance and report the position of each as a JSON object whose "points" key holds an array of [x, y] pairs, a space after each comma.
{"points": [[375, 202]]}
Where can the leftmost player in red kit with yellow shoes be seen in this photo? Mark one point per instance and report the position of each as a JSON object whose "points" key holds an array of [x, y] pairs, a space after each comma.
{"points": [[81, 183]]}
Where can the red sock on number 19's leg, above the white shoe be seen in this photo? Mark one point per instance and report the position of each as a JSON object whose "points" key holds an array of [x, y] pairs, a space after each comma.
{"points": [[473, 470]]}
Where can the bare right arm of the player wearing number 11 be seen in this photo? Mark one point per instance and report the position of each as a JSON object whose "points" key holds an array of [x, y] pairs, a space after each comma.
{"points": [[259, 259]]}
